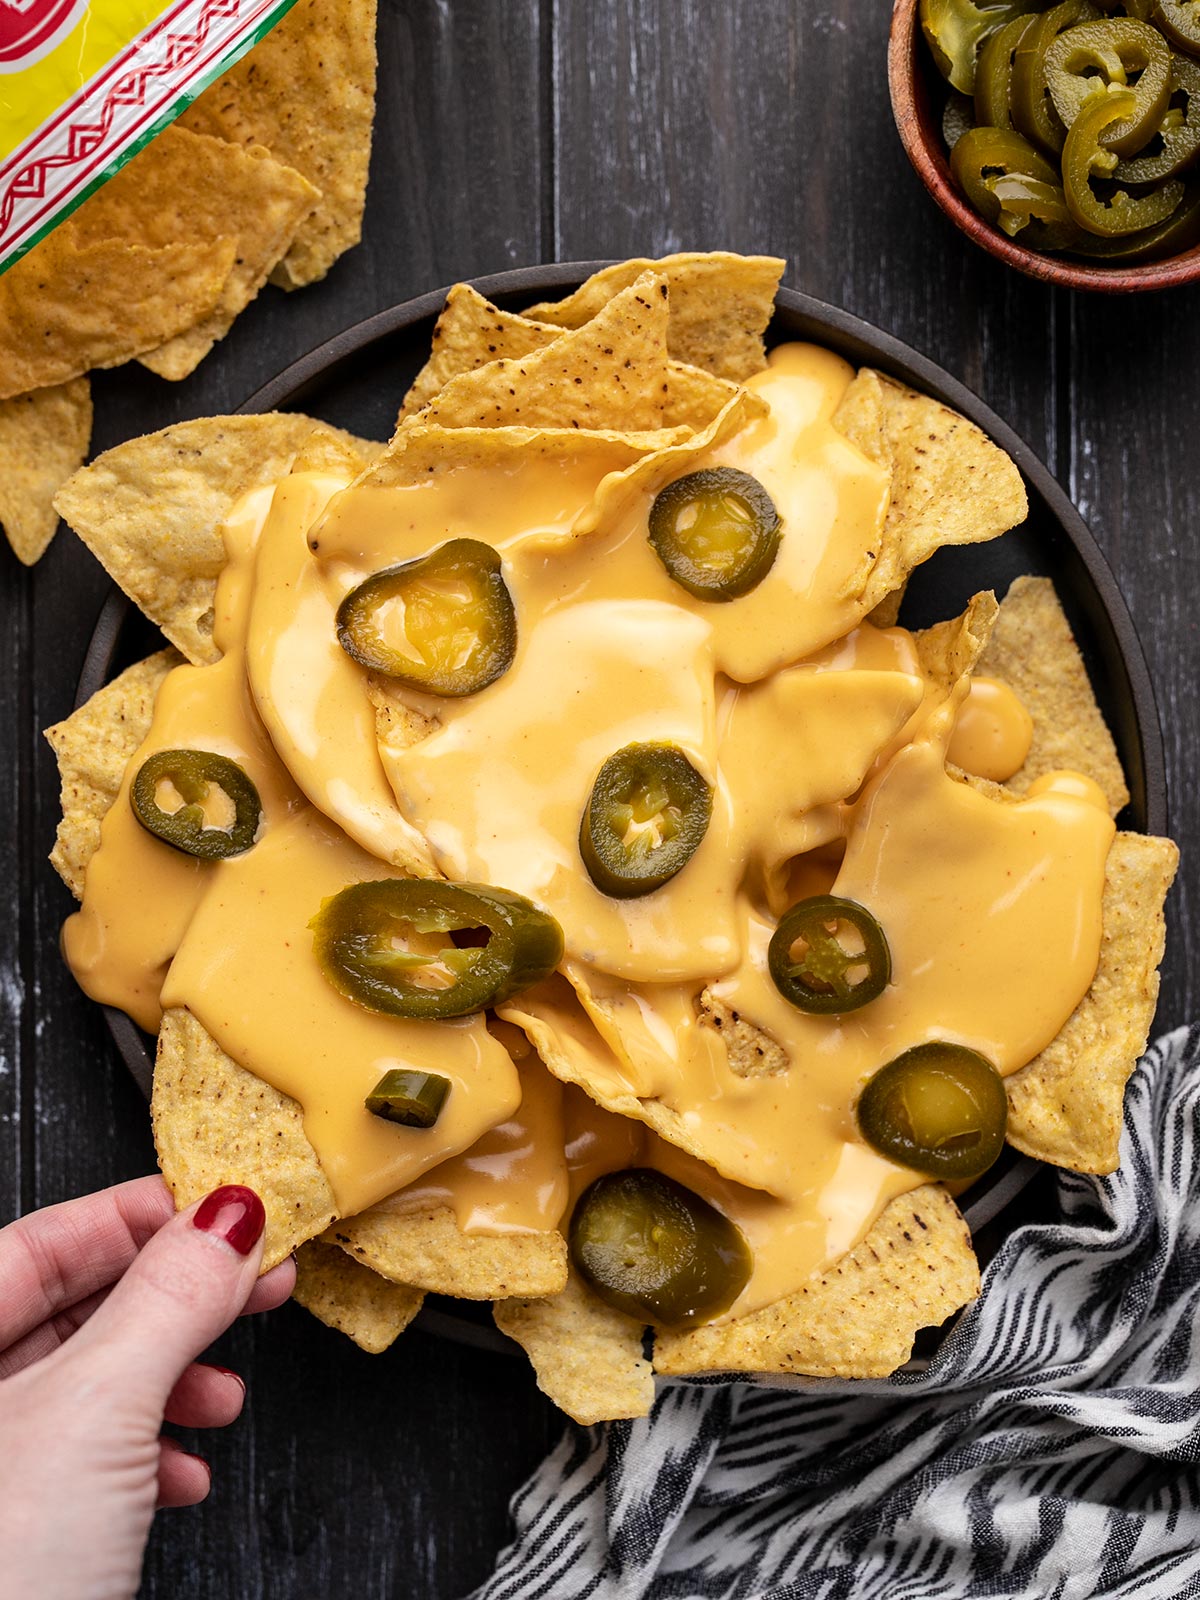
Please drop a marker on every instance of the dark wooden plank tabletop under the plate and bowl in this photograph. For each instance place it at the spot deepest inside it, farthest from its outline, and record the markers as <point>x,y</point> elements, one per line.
<point>514,132</point>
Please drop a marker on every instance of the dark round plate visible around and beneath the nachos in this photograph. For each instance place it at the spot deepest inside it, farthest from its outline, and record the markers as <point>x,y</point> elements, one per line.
<point>358,382</point>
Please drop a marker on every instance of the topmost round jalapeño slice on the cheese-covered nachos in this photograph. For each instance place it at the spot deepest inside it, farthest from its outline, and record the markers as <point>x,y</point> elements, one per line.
<point>716,532</point>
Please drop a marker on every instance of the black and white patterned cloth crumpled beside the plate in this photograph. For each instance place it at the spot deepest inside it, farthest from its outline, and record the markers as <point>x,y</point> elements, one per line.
<point>1050,1452</point>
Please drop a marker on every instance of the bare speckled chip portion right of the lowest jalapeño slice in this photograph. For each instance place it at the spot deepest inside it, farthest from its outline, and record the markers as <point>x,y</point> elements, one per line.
<point>913,1271</point>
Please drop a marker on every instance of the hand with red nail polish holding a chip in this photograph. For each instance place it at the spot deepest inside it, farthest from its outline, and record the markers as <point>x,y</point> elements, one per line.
<point>105,1305</point>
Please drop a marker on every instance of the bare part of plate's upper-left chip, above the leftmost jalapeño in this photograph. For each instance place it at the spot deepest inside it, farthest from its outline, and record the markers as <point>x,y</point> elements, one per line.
<point>151,511</point>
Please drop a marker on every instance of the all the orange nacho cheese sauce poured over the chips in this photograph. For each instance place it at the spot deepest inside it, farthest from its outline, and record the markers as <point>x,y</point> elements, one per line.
<point>826,743</point>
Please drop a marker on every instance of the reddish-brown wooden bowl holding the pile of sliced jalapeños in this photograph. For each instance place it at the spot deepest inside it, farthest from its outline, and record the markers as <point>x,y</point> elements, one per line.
<point>918,98</point>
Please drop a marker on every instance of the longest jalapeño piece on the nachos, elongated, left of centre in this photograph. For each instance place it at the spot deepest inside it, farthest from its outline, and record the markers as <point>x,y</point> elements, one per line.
<point>430,951</point>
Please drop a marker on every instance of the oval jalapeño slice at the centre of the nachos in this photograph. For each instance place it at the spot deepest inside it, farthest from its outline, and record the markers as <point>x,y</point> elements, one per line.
<point>646,820</point>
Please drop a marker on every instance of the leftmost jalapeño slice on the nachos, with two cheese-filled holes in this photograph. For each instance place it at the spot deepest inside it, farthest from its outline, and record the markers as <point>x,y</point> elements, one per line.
<point>198,802</point>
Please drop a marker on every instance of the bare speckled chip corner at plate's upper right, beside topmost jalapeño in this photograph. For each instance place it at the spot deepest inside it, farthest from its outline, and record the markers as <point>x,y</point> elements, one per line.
<point>950,482</point>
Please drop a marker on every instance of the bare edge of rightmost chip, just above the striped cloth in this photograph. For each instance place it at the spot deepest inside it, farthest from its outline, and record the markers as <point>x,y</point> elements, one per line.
<point>1068,1105</point>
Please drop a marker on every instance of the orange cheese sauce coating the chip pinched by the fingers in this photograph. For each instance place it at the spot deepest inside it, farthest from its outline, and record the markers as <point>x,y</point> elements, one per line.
<point>247,970</point>
